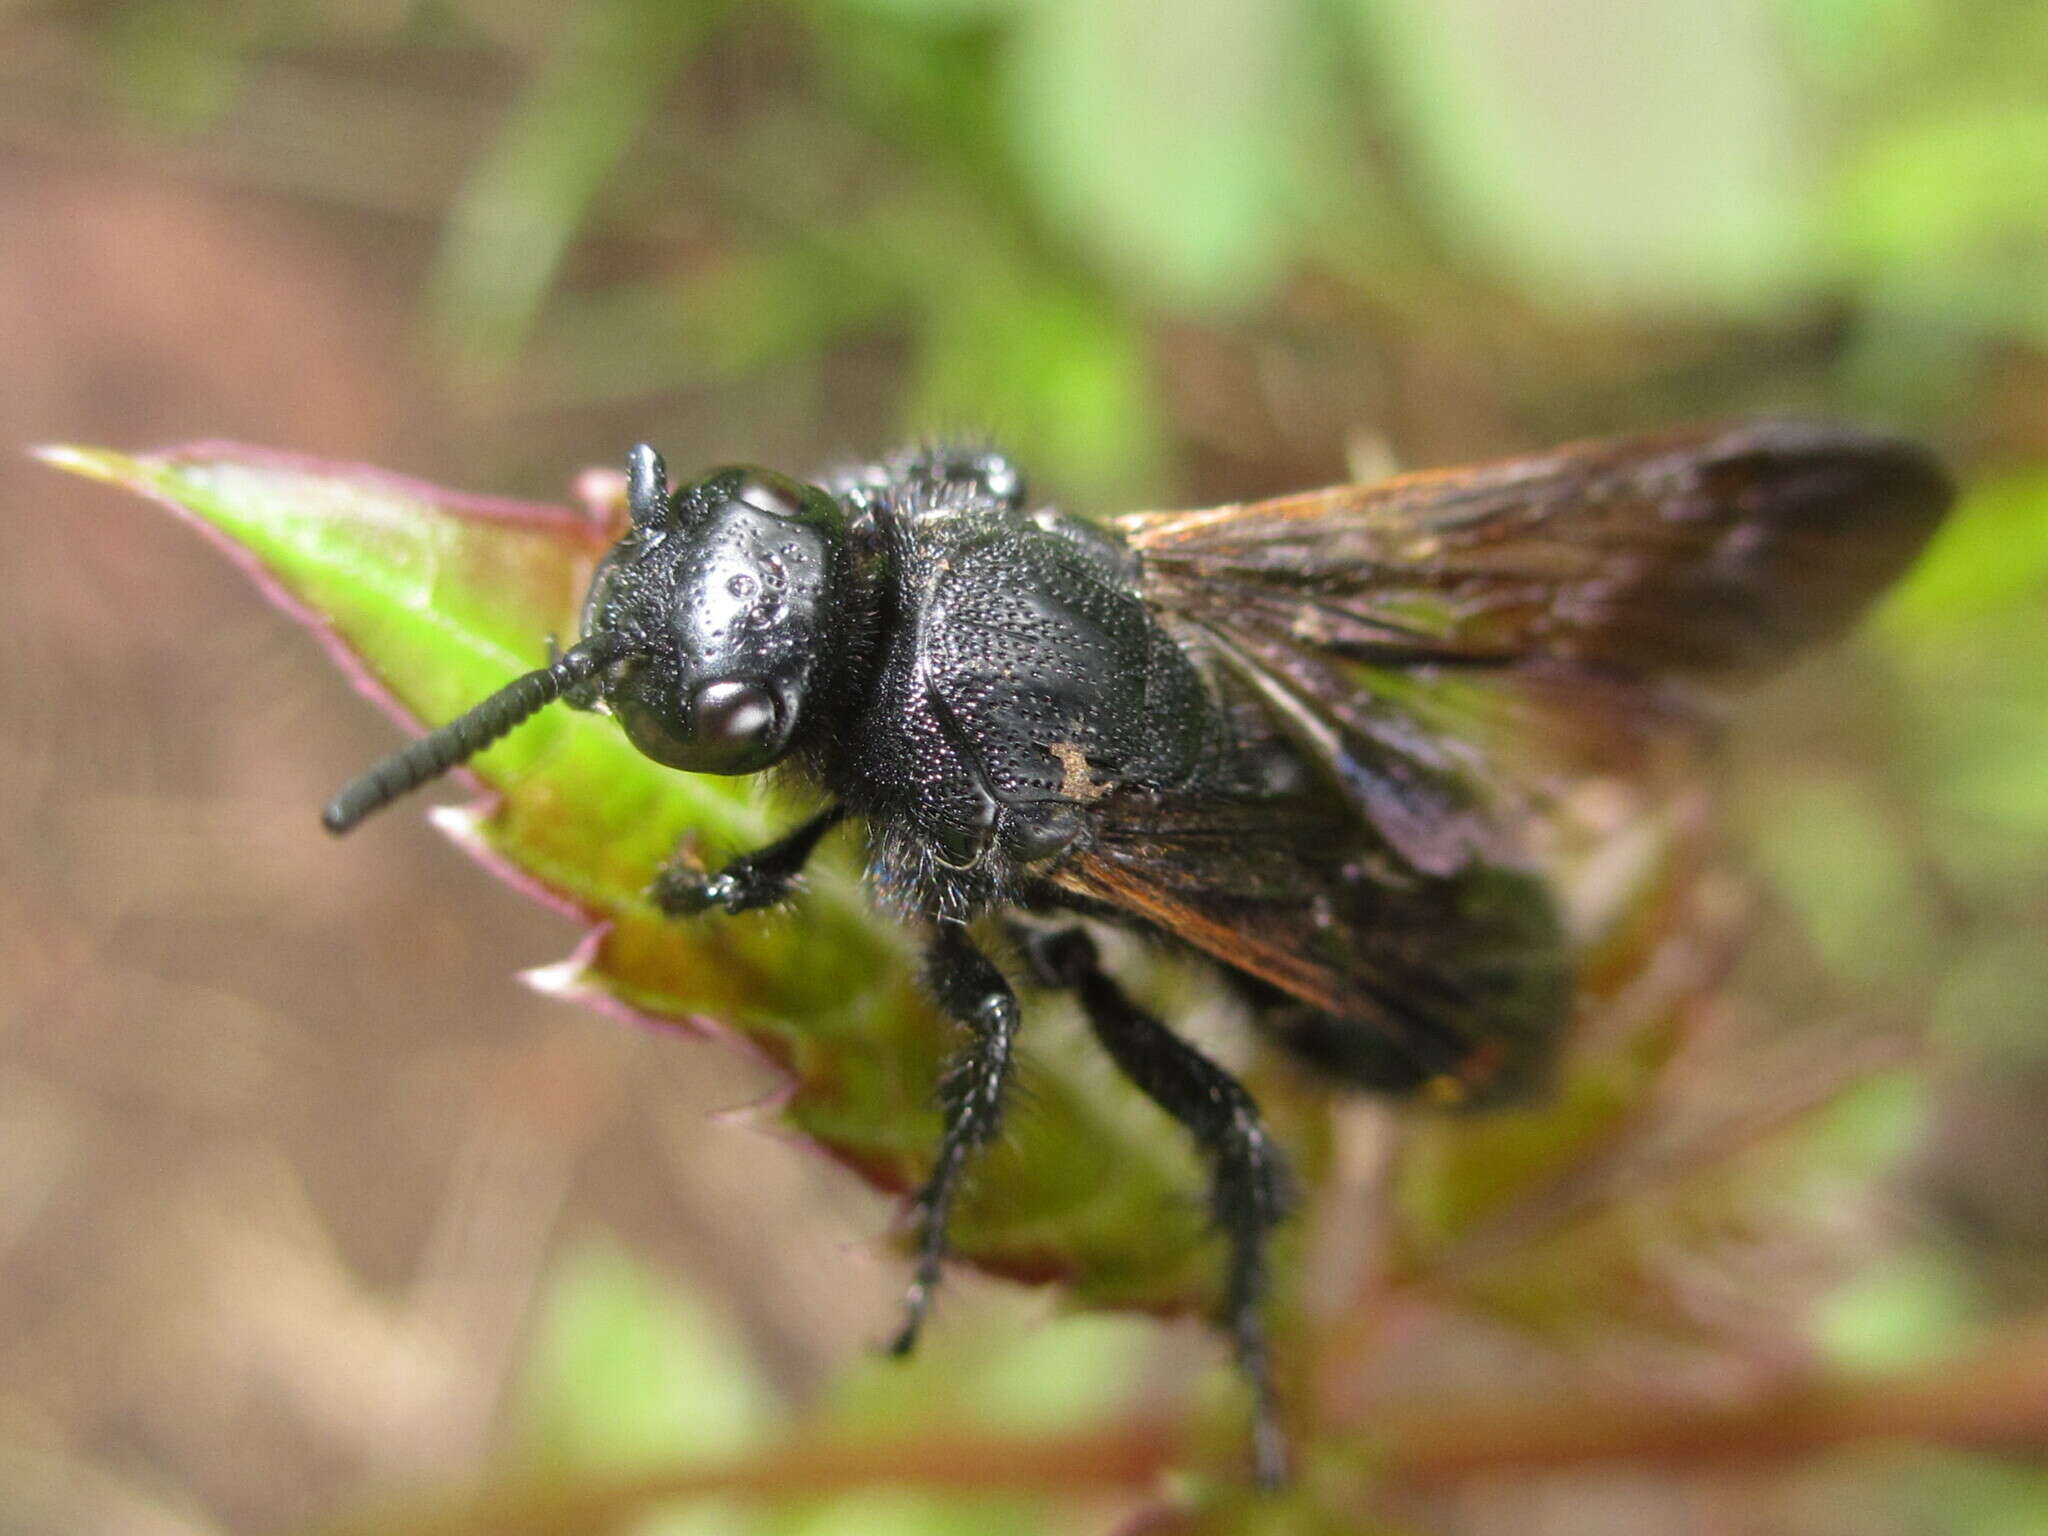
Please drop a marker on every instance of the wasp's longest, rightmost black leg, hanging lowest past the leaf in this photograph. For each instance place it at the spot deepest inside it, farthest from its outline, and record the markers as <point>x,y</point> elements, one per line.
<point>1250,1185</point>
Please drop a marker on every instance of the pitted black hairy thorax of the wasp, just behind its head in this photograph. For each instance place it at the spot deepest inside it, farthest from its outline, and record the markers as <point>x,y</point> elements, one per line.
<point>1021,681</point>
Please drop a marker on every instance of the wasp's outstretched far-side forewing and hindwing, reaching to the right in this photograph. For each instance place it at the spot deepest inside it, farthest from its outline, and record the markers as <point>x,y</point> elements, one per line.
<point>1453,648</point>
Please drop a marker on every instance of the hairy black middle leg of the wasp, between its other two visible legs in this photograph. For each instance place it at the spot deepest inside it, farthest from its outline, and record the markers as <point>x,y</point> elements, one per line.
<point>974,994</point>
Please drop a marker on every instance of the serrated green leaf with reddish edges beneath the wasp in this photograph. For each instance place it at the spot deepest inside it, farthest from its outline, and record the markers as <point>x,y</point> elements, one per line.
<point>433,599</point>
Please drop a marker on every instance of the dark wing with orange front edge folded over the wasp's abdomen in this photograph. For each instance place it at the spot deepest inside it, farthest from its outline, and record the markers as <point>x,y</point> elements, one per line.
<point>1449,986</point>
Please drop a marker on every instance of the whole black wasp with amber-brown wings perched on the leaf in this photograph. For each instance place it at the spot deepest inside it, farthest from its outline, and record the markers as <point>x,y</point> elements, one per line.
<point>1312,738</point>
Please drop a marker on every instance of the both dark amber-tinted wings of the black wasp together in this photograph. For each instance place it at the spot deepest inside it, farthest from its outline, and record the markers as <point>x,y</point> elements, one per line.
<point>1457,658</point>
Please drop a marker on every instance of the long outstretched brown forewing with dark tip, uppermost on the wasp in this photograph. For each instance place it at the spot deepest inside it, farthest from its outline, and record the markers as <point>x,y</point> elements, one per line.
<point>1693,554</point>
